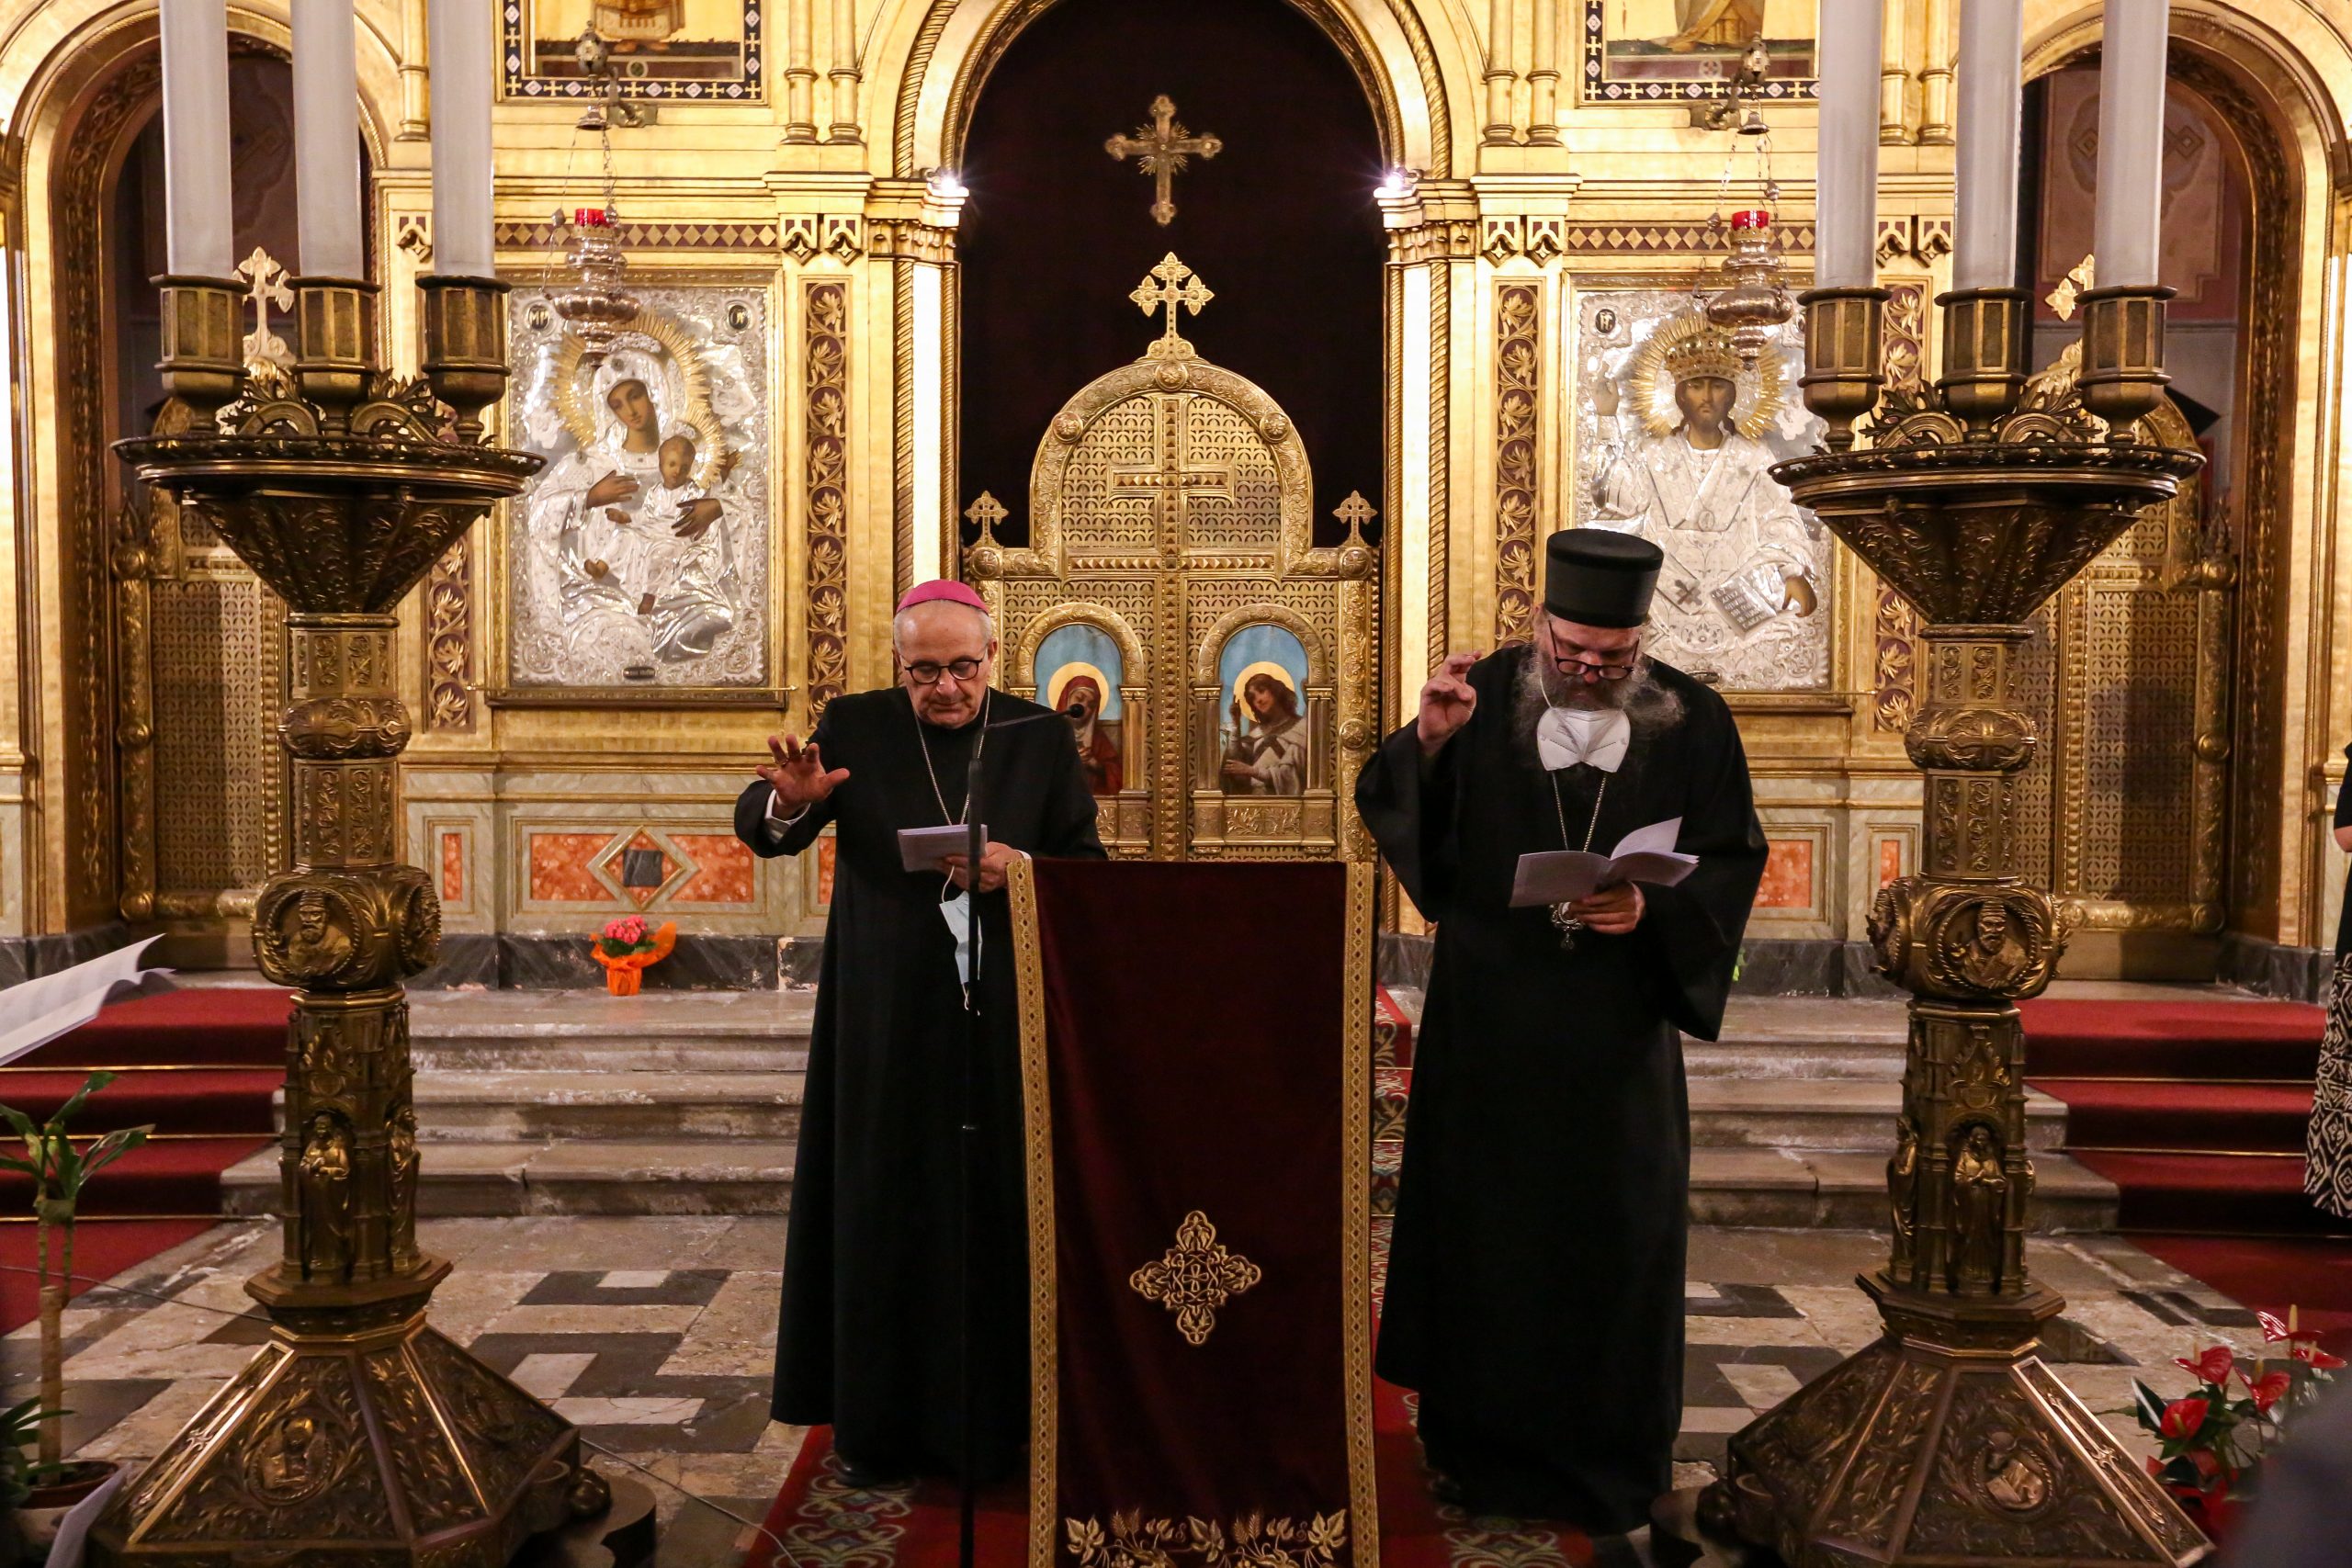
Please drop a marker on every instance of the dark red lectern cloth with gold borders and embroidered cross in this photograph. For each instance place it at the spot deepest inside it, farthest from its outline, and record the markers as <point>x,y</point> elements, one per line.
<point>1196,1059</point>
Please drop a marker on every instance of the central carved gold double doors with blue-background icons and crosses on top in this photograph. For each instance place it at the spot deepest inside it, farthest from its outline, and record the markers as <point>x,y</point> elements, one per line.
<point>1175,594</point>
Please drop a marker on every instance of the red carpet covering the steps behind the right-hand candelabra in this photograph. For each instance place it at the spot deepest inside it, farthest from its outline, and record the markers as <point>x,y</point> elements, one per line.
<point>2193,1108</point>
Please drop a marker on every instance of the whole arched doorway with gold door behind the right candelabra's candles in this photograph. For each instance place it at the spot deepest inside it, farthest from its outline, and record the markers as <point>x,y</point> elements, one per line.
<point>2125,808</point>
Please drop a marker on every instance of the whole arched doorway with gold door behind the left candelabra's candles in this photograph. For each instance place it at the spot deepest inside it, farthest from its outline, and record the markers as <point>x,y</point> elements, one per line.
<point>173,803</point>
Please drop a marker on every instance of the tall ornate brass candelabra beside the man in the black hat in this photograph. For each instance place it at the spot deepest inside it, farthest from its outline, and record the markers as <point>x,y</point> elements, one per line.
<point>1949,1440</point>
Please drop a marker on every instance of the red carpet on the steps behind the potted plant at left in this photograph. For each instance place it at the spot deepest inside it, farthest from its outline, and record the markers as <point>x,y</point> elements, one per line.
<point>201,1066</point>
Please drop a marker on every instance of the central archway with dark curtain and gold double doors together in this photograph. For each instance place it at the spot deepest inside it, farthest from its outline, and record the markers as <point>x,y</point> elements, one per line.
<point>1271,213</point>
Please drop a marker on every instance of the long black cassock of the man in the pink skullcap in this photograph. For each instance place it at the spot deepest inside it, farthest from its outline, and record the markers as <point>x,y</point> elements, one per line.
<point>869,1327</point>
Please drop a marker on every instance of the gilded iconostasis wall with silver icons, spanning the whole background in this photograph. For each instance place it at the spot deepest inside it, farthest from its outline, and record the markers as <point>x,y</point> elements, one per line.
<point>897,281</point>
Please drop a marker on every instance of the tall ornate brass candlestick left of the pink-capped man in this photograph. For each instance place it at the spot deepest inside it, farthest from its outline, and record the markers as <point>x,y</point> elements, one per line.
<point>359,1435</point>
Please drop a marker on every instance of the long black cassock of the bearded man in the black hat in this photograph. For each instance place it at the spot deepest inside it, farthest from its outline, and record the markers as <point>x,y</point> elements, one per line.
<point>1535,1289</point>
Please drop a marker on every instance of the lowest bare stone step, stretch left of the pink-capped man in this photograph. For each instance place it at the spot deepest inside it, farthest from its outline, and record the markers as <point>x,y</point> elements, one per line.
<point>582,1177</point>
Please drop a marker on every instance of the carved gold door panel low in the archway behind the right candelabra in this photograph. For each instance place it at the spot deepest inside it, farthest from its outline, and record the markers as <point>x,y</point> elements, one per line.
<point>2125,803</point>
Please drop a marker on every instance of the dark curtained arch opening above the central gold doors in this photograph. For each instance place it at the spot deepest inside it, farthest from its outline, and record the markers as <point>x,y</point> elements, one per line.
<point>1281,225</point>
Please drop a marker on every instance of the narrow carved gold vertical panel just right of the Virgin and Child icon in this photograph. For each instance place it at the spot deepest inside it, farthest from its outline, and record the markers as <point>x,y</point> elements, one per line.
<point>824,366</point>
